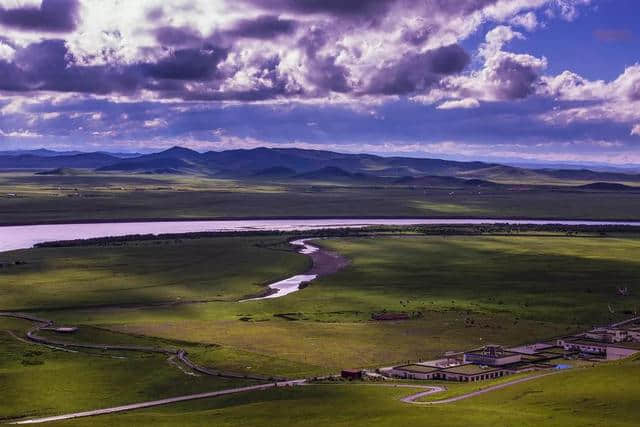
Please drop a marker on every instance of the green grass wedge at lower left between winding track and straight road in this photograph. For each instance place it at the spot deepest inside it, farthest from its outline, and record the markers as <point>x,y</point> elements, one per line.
<point>38,381</point>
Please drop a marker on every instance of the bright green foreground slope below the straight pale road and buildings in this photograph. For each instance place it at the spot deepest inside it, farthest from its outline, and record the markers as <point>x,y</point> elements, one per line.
<point>605,395</point>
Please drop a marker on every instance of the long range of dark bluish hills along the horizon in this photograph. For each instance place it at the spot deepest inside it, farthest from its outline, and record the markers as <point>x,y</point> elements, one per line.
<point>293,163</point>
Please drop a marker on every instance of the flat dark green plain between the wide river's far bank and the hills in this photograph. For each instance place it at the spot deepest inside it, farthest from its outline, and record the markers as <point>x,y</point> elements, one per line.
<point>42,198</point>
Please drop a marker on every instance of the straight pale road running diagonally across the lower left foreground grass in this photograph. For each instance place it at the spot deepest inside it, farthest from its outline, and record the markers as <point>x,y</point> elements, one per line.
<point>160,402</point>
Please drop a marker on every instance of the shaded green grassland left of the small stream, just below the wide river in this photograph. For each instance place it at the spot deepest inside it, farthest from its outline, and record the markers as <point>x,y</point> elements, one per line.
<point>144,273</point>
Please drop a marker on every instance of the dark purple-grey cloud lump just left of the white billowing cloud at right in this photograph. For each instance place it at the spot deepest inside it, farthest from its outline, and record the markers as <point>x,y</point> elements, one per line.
<point>420,71</point>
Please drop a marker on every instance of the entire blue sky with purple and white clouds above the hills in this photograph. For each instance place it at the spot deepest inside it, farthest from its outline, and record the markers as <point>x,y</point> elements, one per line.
<point>497,80</point>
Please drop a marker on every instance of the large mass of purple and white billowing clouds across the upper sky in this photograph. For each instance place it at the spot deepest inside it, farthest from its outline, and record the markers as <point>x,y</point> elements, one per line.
<point>358,51</point>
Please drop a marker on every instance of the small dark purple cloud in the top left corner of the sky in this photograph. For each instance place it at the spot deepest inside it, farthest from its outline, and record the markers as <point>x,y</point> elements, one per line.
<point>51,16</point>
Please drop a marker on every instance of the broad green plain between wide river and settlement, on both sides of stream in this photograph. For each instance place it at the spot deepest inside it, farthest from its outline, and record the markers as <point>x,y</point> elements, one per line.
<point>459,292</point>
